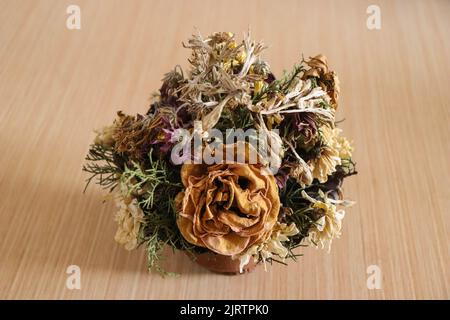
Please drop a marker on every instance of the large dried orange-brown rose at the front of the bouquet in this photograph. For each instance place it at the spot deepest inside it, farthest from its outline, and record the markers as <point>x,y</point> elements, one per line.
<point>227,207</point>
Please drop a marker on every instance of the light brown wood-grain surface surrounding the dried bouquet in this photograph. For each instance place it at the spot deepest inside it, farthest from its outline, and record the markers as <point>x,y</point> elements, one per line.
<point>56,85</point>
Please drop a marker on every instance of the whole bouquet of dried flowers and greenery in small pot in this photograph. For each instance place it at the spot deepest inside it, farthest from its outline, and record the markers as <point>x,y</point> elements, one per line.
<point>230,164</point>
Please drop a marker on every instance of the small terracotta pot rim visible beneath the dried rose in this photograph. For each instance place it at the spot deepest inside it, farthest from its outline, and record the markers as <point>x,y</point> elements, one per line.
<point>222,264</point>
